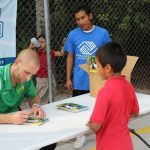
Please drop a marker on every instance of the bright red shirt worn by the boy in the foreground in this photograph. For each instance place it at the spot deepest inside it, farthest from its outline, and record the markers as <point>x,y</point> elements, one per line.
<point>115,102</point>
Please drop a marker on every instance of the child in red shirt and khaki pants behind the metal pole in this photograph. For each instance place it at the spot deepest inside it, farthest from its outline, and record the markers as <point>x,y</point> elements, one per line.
<point>42,74</point>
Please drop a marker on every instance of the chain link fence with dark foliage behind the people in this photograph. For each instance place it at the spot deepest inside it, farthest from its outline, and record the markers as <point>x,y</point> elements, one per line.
<point>128,22</point>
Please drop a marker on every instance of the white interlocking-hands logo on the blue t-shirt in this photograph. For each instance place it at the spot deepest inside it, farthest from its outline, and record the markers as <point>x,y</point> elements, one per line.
<point>87,48</point>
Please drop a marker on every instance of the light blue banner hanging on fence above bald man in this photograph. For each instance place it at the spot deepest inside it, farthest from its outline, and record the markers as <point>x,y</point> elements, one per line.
<point>8,13</point>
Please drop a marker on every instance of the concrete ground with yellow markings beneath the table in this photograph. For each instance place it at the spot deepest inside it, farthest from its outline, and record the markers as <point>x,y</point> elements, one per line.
<point>141,125</point>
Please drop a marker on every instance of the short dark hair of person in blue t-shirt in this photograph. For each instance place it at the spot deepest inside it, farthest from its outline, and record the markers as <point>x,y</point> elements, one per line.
<point>82,7</point>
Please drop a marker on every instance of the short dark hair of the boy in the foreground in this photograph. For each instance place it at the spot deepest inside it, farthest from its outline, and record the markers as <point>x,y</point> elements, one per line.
<point>113,54</point>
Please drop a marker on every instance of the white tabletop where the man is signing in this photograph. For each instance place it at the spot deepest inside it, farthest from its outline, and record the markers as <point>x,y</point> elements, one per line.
<point>63,125</point>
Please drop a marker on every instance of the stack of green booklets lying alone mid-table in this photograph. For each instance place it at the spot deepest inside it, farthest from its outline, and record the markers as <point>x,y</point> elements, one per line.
<point>73,107</point>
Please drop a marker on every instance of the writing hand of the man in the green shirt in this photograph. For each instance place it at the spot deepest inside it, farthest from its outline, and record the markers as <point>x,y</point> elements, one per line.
<point>20,117</point>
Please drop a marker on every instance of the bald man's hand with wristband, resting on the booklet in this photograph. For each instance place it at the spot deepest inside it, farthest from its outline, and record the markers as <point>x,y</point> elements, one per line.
<point>37,111</point>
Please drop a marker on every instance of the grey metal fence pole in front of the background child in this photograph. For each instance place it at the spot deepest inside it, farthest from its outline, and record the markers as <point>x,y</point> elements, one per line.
<point>48,47</point>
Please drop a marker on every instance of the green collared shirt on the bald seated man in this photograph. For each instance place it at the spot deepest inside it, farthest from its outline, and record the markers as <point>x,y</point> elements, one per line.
<point>11,97</point>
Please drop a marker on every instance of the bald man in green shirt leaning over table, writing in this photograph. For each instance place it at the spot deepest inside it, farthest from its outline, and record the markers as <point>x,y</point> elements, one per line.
<point>15,84</point>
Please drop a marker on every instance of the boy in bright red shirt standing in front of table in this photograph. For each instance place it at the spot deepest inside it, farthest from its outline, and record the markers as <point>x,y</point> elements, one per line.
<point>116,102</point>
